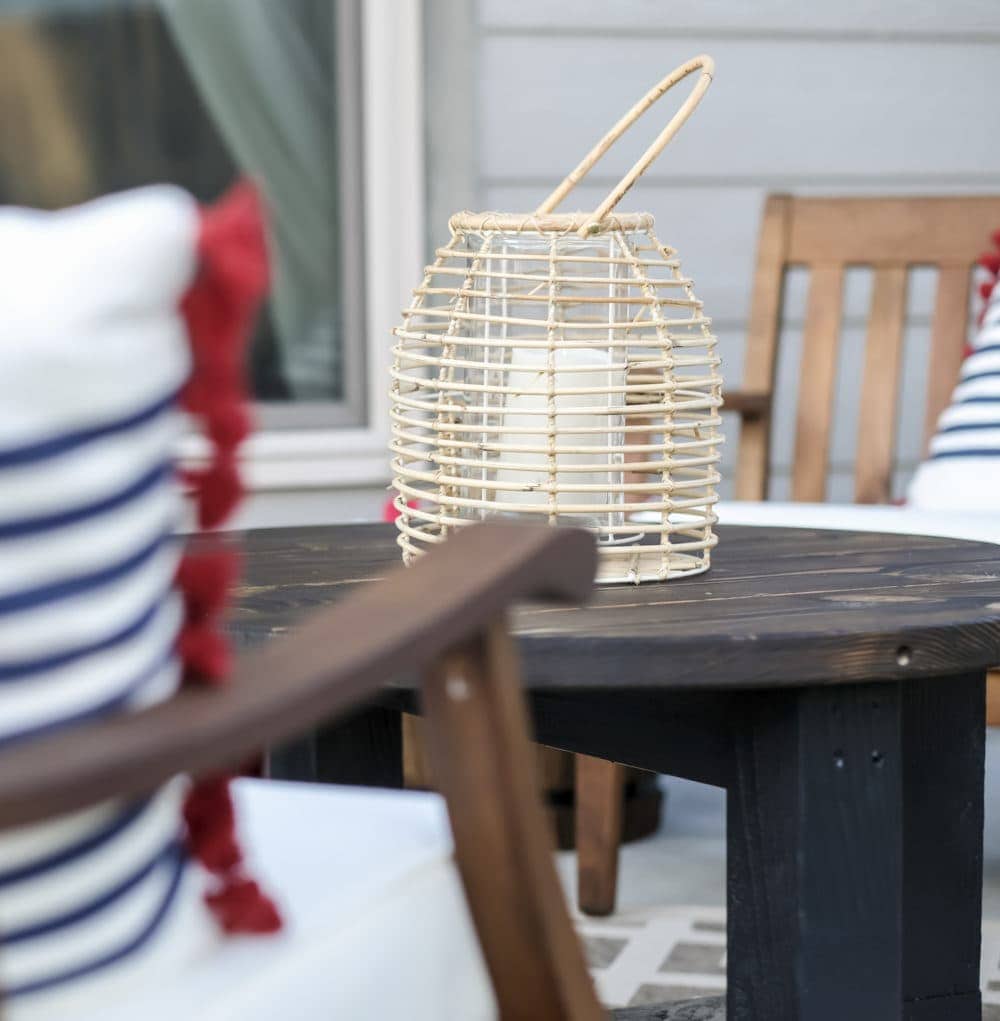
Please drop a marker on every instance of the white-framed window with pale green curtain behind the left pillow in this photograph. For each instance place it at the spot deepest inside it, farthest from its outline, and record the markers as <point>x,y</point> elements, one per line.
<point>101,95</point>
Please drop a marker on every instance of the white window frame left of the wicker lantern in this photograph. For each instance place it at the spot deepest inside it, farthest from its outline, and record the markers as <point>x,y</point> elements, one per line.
<point>327,446</point>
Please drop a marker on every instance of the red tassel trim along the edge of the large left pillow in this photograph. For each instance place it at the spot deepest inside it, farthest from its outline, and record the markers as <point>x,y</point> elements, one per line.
<point>219,310</point>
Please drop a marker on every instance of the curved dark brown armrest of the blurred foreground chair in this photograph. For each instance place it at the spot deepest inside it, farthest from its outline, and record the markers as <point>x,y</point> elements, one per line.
<point>339,659</point>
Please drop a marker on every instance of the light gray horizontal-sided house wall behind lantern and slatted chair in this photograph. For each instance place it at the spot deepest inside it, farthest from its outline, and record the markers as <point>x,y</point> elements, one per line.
<point>864,98</point>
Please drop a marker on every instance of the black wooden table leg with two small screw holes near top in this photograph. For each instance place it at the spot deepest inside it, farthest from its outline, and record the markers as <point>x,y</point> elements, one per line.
<point>815,836</point>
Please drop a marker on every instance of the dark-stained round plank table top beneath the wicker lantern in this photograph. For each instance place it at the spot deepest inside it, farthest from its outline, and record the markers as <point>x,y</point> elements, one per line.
<point>780,607</point>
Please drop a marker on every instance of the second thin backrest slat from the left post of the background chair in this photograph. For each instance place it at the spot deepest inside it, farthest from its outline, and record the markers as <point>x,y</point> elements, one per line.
<point>877,418</point>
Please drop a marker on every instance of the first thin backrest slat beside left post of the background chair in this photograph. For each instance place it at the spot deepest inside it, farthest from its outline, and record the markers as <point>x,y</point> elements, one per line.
<point>816,416</point>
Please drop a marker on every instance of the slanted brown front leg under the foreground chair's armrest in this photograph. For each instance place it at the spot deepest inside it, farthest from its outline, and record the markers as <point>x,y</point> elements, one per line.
<point>478,731</point>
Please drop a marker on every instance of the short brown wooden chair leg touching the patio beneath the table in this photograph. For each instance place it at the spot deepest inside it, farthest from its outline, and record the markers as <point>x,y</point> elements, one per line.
<point>600,792</point>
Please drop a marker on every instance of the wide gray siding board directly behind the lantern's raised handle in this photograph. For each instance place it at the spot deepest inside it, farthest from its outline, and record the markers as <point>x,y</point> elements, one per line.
<point>797,110</point>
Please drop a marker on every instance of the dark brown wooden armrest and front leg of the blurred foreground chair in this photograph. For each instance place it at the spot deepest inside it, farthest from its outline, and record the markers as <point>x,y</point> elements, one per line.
<point>439,618</point>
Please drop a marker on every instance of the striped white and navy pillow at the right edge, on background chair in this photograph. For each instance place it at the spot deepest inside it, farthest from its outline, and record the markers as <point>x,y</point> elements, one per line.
<point>963,471</point>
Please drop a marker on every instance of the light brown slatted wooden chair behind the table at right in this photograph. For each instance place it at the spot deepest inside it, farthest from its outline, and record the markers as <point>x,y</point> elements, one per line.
<point>827,236</point>
